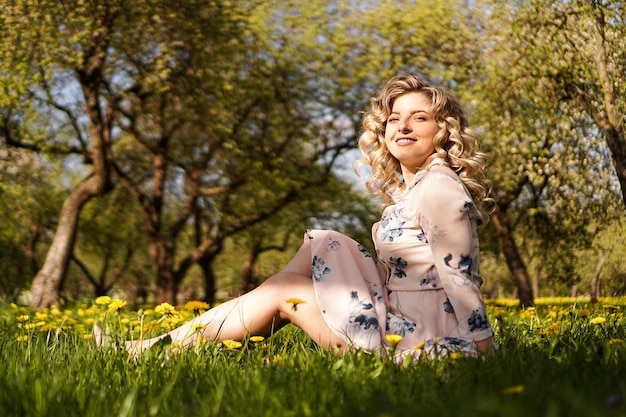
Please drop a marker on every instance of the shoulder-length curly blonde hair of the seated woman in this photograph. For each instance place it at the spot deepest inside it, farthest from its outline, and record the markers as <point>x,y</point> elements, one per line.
<point>455,142</point>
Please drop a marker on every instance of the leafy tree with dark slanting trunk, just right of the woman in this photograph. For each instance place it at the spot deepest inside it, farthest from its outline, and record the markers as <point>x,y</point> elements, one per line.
<point>547,166</point>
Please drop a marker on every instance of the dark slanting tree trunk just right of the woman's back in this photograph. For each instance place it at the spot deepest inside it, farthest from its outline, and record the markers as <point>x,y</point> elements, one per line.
<point>513,258</point>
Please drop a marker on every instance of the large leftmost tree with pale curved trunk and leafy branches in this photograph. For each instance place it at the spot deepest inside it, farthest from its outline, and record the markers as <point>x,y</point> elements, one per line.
<point>70,45</point>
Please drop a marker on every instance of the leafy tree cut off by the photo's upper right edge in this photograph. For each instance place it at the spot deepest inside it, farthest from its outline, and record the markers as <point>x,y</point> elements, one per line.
<point>585,41</point>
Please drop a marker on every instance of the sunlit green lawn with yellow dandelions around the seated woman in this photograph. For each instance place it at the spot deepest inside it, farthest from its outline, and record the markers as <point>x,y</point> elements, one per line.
<point>557,360</point>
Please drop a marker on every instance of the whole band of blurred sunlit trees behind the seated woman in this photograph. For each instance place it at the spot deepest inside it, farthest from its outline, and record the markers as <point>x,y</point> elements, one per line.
<point>167,151</point>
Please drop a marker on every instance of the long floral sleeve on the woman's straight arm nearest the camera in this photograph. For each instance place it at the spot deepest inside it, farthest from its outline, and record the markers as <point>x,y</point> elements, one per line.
<point>451,234</point>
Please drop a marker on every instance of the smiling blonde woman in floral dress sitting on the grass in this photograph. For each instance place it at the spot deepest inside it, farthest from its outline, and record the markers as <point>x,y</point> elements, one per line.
<point>426,287</point>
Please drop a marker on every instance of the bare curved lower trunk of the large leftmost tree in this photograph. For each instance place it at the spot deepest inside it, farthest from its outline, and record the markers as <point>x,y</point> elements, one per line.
<point>47,283</point>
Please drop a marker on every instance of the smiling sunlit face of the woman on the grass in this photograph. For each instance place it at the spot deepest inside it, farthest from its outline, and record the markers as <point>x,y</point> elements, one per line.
<point>410,131</point>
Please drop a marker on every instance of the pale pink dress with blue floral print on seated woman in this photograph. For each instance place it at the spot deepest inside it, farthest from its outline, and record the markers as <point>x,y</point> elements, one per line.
<point>424,284</point>
